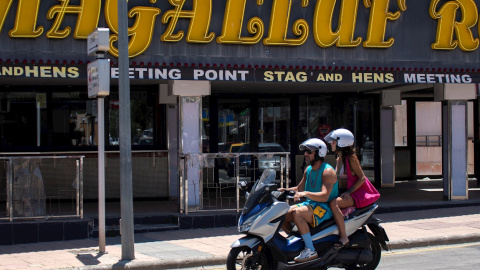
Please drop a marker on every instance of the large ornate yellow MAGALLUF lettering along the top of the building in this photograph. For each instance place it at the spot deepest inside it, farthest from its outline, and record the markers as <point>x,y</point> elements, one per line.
<point>329,23</point>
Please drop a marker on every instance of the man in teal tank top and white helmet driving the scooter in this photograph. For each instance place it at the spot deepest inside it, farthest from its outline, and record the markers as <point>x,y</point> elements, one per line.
<point>318,186</point>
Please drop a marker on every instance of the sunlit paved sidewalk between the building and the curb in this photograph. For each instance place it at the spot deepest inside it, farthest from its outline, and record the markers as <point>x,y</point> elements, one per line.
<point>203,247</point>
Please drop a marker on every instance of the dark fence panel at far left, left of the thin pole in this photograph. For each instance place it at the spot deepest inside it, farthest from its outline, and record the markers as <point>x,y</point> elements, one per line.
<point>41,187</point>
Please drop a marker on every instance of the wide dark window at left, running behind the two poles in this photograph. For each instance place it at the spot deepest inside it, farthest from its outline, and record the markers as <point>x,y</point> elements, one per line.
<point>63,118</point>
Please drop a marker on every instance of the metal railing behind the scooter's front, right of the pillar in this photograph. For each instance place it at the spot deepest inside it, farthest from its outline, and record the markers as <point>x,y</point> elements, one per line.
<point>217,177</point>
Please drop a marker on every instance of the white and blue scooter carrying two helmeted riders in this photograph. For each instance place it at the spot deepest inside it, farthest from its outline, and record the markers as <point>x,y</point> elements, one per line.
<point>266,247</point>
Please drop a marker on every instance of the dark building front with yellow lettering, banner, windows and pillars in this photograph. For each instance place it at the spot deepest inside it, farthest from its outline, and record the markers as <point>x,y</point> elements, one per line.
<point>208,74</point>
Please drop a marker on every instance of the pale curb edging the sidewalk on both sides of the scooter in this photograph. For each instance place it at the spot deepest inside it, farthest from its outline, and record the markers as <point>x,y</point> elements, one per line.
<point>221,260</point>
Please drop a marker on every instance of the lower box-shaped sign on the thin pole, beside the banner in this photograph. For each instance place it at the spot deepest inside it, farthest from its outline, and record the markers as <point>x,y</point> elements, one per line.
<point>98,73</point>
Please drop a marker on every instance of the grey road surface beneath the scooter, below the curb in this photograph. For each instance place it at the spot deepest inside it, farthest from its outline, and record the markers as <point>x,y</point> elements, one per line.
<point>462,256</point>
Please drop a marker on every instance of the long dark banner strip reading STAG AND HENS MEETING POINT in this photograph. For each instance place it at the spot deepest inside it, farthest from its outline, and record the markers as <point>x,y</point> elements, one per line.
<point>237,74</point>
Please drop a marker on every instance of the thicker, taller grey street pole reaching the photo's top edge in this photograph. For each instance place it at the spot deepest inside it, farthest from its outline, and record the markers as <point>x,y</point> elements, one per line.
<point>126,196</point>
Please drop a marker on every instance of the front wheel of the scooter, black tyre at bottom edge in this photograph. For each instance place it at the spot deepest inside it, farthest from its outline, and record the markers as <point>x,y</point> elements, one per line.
<point>243,258</point>
